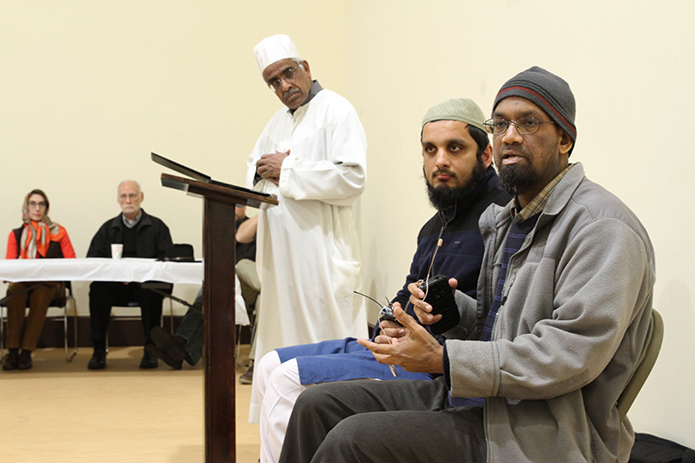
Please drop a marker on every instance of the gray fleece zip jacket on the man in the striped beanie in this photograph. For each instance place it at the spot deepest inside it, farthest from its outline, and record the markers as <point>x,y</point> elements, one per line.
<point>572,326</point>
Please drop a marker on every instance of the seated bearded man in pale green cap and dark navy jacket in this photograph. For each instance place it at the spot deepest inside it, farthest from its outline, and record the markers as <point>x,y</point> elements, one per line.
<point>461,184</point>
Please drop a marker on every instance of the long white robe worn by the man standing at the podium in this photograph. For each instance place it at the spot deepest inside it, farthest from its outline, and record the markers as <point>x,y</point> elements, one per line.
<point>307,247</point>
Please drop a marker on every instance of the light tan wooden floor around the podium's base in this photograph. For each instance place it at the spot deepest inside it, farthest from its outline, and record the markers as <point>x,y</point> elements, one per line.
<point>61,412</point>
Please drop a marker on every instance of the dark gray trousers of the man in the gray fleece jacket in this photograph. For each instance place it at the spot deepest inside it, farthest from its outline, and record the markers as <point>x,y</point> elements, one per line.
<point>382,421</point>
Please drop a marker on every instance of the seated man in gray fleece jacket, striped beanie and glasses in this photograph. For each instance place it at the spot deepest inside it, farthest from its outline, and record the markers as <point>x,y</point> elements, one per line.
<point>536,364</point>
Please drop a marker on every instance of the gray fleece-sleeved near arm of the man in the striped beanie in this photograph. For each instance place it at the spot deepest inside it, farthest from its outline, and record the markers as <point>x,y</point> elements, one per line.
<point>559,337</point>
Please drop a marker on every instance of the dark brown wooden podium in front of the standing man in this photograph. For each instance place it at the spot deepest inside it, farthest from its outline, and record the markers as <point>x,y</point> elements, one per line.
<point>219,245</point>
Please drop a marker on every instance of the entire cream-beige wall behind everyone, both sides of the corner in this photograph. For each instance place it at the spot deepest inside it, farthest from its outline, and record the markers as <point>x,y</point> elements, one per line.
<point>90,88</point>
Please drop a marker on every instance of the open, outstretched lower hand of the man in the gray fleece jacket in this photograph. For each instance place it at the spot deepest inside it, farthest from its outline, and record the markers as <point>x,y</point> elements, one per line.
<point>417,351</point>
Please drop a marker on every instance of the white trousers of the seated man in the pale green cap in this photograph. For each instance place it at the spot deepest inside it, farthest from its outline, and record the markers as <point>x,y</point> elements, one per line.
<point>278,387</point>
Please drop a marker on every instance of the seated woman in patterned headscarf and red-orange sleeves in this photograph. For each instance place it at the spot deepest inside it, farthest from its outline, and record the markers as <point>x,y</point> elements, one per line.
<point>37,238</point>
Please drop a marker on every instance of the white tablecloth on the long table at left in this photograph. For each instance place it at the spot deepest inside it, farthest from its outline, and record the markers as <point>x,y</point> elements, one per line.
<point>100,269</point>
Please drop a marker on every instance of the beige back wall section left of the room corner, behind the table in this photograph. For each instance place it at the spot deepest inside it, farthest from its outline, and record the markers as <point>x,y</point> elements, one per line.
<point>90,88</point>
